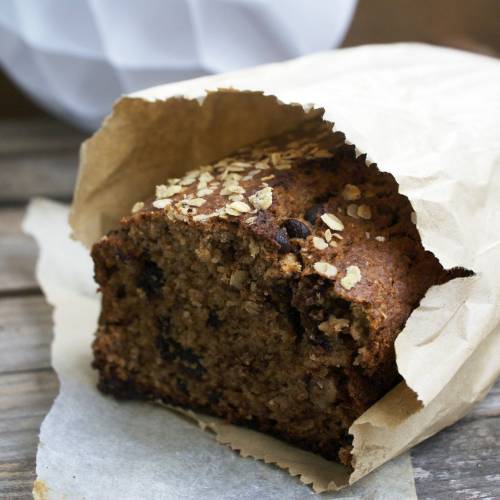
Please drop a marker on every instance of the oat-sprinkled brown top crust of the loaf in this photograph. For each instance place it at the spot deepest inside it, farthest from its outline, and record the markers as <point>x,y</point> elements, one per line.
<point>307,194</point>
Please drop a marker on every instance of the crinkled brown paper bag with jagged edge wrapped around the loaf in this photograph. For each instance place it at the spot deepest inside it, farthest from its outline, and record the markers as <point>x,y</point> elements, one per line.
<point>428,116</point>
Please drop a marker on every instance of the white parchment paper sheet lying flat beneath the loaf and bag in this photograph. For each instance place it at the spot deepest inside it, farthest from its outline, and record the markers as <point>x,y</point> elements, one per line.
<point>93,447</point>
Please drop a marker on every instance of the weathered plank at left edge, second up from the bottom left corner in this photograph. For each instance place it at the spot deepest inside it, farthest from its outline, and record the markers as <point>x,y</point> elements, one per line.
<point>25,334</point>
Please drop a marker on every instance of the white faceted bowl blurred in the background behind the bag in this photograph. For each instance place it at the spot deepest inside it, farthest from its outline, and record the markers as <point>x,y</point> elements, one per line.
<point>76,57</point>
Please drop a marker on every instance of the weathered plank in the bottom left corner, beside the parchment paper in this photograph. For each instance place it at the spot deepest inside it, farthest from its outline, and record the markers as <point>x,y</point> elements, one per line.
<point>25,398</point>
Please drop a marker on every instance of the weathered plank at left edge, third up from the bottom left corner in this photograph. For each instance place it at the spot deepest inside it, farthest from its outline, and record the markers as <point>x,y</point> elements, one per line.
<point>18,253</point>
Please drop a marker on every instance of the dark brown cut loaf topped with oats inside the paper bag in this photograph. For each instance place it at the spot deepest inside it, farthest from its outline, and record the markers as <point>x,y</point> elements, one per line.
<point>267,288</point>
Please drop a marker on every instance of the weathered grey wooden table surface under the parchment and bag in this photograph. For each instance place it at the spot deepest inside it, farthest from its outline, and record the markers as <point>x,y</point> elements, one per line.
<point>38,157</point>
